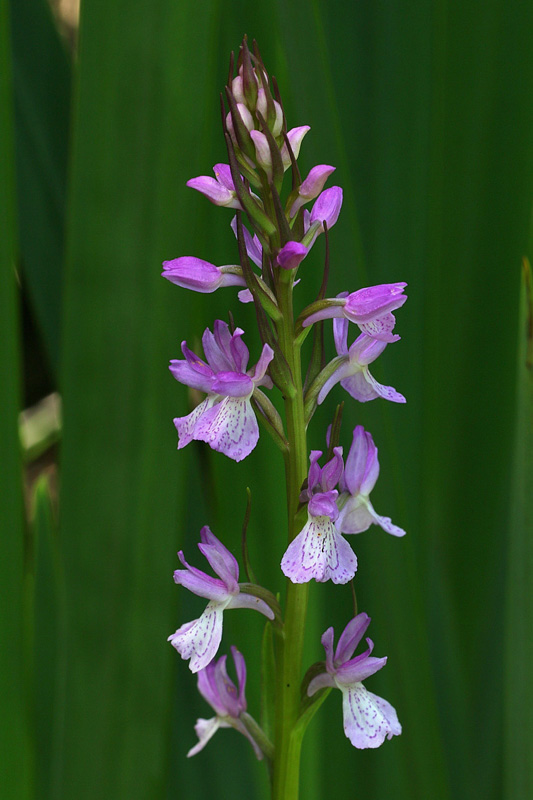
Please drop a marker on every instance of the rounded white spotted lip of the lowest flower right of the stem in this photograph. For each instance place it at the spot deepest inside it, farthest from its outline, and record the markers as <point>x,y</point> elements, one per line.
<point>367,718</point>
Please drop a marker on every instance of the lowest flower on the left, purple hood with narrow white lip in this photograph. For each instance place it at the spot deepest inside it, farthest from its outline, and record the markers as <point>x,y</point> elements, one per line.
<point>227,701</point>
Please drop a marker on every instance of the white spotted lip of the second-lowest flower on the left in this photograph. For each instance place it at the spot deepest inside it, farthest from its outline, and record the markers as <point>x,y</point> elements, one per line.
<point>199,640</point>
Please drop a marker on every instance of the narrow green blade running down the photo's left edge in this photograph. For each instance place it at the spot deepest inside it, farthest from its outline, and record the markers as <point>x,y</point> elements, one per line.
<point>15,737</point>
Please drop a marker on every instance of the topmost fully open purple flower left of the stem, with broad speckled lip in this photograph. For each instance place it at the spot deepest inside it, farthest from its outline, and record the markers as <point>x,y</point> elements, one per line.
<point>225,419</point>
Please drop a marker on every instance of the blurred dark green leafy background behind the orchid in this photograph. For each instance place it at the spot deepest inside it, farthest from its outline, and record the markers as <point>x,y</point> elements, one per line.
<point>426,110</point>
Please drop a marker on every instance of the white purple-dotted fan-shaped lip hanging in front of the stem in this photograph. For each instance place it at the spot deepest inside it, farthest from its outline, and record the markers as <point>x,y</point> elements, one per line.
<point>319,552</point>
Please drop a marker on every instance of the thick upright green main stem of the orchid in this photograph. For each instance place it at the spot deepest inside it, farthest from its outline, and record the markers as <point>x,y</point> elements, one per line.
<point>287,747</point>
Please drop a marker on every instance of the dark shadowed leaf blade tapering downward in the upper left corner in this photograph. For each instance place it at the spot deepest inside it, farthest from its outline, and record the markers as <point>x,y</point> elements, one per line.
<point>42,79</point>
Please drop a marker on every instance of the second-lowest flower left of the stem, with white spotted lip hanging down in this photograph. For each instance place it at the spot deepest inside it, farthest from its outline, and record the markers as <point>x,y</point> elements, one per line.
<point>199,640</point>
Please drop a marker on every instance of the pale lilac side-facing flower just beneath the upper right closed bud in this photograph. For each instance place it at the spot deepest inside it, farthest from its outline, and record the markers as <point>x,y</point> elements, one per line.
<point>353,372</point>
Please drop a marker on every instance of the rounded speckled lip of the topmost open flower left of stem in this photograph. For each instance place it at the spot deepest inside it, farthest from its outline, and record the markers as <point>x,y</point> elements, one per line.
<point>229,427</point>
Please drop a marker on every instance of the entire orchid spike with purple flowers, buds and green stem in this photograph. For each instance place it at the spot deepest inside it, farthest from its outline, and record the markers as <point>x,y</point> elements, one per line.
<point>335,496</point>
